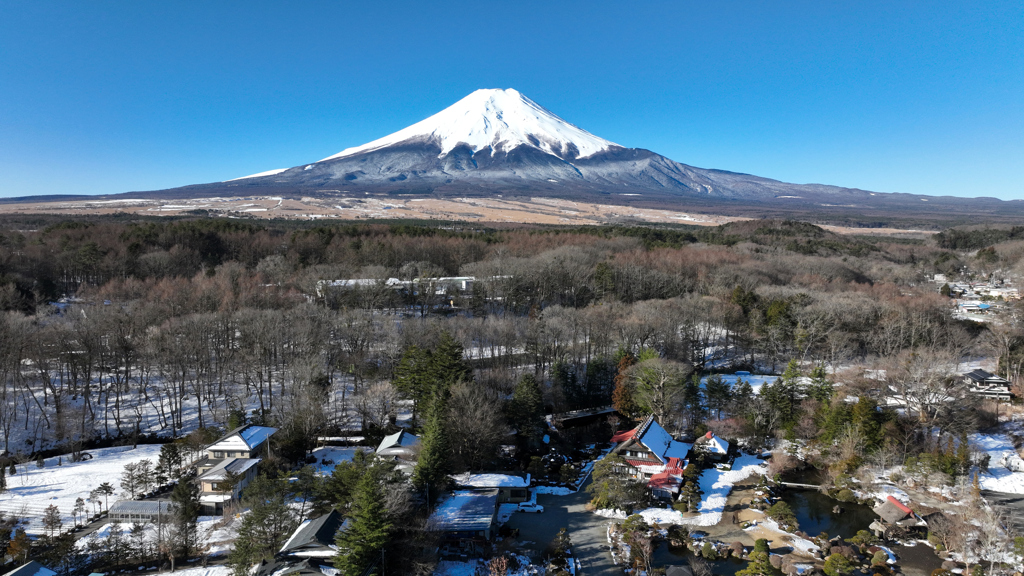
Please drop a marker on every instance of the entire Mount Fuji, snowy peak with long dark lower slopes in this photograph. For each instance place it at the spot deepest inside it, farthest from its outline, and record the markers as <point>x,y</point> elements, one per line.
<point>499,142</point>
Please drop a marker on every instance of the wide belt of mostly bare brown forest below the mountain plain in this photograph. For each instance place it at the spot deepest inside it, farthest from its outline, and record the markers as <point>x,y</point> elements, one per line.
<point>167,326</point>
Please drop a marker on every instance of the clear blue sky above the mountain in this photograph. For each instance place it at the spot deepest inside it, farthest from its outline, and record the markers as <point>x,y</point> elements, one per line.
<point>917,97</point>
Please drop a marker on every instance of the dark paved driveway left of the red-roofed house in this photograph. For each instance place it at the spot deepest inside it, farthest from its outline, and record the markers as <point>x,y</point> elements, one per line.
<point>588,531</point>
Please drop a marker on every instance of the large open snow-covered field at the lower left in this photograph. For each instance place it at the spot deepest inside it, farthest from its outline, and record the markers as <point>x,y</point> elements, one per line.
<point>33,489</point>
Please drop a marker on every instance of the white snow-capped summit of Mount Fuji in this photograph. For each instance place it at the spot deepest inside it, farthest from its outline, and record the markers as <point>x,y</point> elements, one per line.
<point>495,119</point>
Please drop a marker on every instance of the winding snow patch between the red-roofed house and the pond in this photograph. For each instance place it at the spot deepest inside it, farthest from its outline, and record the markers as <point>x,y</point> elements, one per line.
<point>716,485</point>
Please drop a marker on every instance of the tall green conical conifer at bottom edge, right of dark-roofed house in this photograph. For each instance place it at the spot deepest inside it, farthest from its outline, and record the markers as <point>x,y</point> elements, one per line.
<point>368,532</point>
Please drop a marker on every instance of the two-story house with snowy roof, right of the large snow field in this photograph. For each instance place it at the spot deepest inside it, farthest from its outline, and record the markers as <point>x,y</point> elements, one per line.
<point>230,466</point>
